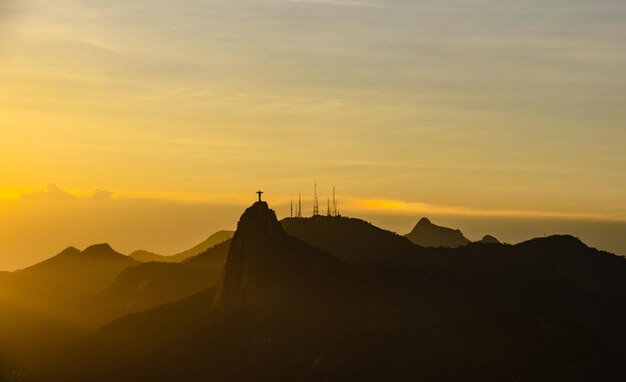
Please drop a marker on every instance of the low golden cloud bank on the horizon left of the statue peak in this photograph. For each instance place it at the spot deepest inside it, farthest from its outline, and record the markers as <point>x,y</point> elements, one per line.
<point>40,224</point>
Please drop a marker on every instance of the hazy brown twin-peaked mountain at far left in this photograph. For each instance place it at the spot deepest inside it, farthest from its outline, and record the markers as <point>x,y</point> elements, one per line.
<point>90,270</point>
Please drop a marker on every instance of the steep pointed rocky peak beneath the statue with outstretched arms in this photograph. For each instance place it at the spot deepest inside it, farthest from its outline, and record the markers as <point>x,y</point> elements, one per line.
<point>266,265</point>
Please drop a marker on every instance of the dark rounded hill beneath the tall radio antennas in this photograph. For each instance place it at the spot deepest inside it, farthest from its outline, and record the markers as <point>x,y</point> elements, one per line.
<point>351,240</point>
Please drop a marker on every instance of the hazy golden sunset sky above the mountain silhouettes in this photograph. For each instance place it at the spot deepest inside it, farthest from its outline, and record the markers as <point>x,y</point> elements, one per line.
<point>499,117</point>
